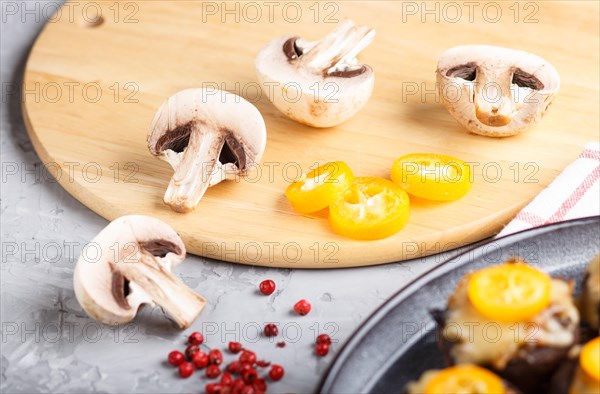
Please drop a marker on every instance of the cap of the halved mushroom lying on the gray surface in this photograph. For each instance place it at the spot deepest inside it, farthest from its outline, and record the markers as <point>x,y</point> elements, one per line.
<point>100,288</point>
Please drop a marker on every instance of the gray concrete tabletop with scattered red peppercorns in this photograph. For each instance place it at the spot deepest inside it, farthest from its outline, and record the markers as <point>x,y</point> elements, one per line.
<point>50,345</point>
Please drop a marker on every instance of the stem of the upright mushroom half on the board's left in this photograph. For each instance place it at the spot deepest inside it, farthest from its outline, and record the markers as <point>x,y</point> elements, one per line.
<point>192,176</point>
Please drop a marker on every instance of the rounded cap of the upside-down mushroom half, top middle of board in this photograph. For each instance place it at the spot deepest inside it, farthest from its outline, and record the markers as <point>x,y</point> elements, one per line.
<point>306,95</point>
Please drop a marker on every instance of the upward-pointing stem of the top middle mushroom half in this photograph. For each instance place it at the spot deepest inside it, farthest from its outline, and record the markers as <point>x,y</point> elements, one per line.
<point>339,48</point>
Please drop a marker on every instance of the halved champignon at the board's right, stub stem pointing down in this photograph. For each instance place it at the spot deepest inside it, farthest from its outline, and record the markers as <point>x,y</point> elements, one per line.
<point>495,91</point>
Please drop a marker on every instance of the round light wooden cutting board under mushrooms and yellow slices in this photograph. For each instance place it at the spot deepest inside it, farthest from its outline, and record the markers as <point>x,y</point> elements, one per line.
<point>92,87</point>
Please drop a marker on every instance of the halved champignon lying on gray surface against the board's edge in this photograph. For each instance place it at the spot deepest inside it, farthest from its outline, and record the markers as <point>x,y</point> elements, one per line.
<point>129,264</point>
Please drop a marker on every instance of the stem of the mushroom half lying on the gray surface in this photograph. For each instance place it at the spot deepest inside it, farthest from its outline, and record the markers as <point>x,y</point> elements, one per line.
<point>165,289</point>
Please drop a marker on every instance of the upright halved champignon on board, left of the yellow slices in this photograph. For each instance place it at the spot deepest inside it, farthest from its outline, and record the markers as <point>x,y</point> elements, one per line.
<point>207,136</point>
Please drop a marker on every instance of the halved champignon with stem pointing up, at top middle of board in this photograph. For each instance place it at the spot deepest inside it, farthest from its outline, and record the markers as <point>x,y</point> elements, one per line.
<point>318,83</point>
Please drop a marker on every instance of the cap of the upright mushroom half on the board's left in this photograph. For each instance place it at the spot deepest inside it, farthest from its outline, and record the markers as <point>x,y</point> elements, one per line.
<point>223,111</point>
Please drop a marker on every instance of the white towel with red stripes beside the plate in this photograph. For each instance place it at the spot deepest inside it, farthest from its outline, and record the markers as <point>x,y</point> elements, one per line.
<point>575,193</point>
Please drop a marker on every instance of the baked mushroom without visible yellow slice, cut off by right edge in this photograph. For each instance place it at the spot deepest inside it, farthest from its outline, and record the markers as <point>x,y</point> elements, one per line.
<point>590,296</point>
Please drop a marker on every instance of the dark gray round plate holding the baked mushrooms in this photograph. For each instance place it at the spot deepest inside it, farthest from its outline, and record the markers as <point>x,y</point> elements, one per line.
<point>397,343</point>
